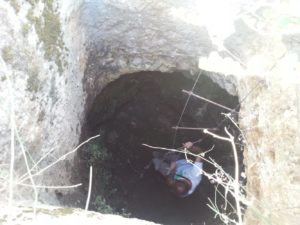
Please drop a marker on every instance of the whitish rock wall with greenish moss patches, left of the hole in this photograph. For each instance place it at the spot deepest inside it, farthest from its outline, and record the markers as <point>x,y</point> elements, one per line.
<point>41,78</point>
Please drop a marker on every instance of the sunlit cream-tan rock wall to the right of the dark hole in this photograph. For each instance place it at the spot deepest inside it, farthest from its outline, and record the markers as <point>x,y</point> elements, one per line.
<point>271,119</point>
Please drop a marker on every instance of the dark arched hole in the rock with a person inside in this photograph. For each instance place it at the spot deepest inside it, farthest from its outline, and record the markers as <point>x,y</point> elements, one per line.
<point>142,108</point>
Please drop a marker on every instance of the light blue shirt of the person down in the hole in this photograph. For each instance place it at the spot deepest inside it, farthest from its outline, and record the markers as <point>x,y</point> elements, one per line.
<point>192,171</point>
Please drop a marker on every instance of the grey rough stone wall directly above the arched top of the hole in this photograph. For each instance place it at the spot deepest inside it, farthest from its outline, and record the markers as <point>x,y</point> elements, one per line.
<point>138,36</point>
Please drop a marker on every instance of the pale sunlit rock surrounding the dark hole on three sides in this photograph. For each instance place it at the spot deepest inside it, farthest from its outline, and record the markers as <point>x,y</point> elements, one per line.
<point>57,56</point>
